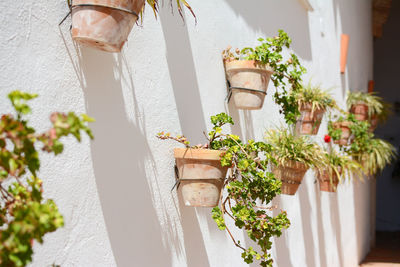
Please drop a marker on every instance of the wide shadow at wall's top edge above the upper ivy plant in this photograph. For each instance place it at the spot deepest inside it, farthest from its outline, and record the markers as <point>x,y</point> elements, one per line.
<point>292,17</point>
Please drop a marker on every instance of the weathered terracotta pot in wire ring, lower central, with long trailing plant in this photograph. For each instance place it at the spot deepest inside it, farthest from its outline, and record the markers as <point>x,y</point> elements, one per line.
<point>202,176</point>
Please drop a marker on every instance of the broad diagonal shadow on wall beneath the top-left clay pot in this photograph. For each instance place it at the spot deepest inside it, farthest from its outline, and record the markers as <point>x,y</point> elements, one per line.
<point>121,180</point>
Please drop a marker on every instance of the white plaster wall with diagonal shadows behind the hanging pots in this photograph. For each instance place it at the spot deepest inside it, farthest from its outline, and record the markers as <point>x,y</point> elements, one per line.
<point>115,191</point>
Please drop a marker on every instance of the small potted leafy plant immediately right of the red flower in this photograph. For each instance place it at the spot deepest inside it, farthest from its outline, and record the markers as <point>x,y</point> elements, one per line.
<point>339,129</point>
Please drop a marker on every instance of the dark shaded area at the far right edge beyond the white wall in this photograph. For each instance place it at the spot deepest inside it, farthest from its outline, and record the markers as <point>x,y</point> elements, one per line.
<point>386,58</point>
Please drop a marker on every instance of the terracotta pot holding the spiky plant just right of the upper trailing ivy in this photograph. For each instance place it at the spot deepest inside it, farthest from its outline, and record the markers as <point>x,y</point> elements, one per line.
<point>309,121</point>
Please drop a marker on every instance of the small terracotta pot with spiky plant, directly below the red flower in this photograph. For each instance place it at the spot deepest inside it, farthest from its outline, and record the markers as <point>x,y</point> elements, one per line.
<point>336,167</point>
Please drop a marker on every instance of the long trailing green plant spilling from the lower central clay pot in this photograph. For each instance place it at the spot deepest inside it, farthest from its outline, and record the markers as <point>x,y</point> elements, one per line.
<point>250,187</point>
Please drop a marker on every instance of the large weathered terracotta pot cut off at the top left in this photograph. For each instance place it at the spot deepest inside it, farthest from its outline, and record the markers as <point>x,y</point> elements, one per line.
<point>104,26</point>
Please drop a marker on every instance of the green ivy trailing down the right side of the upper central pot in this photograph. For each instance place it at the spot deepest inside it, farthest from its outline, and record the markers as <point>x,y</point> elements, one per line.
<point>287,72</point>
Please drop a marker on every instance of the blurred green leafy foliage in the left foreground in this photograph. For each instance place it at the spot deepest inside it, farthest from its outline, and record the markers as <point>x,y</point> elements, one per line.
<point>24,215</point>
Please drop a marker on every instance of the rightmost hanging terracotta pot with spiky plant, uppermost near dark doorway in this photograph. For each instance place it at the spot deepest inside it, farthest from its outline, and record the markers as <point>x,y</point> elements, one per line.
<point>368,106</point>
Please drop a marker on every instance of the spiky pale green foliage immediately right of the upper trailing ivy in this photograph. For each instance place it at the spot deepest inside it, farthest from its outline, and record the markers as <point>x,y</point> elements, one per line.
<point>314,95</point>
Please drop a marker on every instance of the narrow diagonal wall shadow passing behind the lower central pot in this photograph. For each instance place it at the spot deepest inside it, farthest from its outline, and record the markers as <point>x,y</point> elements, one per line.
<point>188,103</point>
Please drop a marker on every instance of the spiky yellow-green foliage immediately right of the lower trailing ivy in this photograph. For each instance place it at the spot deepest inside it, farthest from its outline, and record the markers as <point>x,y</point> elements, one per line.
<point>286,146</point>
